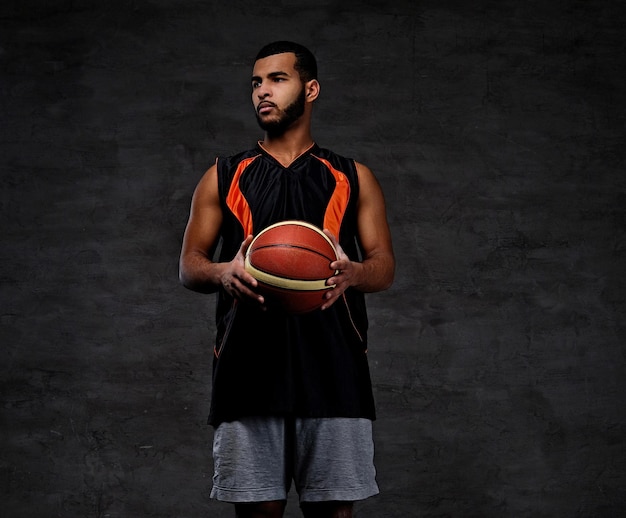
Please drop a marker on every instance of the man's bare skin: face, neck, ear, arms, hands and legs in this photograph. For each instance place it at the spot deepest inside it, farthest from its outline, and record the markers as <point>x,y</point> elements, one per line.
<point>275,85</point>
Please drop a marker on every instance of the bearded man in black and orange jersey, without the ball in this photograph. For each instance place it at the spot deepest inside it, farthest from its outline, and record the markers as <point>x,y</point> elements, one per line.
<point>292,397</point>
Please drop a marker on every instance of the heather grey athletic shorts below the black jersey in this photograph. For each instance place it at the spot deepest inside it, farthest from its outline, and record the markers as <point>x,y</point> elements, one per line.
<point>255,459</point>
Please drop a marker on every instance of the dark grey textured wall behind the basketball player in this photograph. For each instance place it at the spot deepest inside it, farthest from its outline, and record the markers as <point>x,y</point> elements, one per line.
<point>497,132</point>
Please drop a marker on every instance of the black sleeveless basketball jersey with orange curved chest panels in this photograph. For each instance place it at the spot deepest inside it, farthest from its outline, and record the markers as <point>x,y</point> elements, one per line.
<point>270,363</point>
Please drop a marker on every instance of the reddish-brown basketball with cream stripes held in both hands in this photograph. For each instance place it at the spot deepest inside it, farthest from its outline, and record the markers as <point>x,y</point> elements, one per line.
<point>291,262</point>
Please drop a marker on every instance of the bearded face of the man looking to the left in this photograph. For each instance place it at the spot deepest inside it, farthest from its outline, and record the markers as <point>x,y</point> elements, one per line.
<point>278,94</point>
